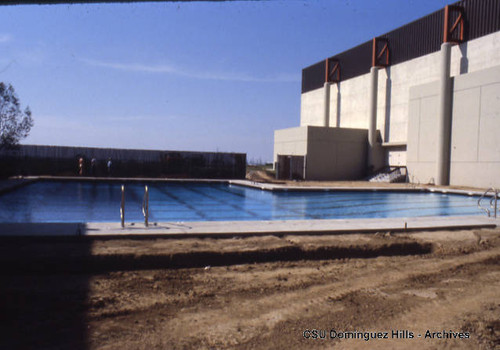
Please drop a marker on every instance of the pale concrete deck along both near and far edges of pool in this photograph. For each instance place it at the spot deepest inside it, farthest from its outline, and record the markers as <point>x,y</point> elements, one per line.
<point>246,228</point>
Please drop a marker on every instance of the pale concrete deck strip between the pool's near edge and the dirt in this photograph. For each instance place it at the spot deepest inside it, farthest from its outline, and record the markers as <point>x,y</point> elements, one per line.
<point>246,228</point>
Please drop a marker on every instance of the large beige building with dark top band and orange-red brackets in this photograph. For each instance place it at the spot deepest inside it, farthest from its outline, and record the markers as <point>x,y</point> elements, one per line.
<point>425,96</point>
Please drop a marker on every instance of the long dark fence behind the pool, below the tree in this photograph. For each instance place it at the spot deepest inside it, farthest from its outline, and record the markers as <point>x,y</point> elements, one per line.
<point>59,160</point>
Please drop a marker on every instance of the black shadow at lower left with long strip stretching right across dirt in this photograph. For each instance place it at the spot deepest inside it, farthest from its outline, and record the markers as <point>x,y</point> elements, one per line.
<point>45,281</point>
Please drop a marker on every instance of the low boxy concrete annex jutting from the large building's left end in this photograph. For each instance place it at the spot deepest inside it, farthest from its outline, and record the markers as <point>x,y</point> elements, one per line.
<point>331,153</point>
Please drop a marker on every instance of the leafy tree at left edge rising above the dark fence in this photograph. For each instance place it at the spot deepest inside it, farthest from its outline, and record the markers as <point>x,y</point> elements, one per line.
<point>15,124</point>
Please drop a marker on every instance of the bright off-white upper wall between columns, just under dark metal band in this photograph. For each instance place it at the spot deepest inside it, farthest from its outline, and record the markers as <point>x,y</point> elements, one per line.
<point>394,91</point>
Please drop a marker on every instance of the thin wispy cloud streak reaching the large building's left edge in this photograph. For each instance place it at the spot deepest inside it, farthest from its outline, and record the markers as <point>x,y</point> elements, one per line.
<point>168,69</point>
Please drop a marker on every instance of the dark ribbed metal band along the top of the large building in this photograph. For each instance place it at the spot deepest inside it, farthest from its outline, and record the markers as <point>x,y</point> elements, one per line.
<point>415,39</point>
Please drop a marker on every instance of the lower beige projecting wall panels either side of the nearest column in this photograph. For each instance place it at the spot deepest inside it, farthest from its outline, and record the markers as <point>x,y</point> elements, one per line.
<point>475,140</point>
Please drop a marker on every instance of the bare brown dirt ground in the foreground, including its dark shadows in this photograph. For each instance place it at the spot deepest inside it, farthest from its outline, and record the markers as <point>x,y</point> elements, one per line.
<point>422,290</point>
